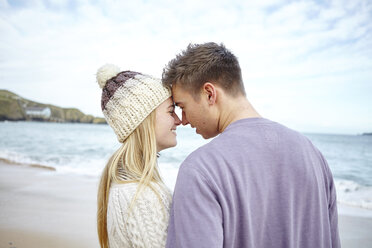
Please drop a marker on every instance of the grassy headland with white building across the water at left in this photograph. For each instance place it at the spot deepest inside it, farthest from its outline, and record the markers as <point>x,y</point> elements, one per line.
<point>16,108</point>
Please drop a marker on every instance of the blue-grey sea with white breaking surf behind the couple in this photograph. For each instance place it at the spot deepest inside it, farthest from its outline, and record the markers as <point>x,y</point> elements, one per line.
<point>85,149</point>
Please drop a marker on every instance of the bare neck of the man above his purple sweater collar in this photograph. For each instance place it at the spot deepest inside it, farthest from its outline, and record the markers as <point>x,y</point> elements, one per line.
<point>235,109</point>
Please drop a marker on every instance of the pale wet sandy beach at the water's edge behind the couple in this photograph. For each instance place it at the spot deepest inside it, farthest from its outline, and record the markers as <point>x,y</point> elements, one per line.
<point>40,208</point>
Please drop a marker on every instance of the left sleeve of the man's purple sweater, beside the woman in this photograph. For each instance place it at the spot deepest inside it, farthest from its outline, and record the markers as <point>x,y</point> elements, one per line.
<point>196,215</point>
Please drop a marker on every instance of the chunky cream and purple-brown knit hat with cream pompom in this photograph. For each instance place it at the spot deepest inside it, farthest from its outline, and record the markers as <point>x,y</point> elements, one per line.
<point>128,98</point>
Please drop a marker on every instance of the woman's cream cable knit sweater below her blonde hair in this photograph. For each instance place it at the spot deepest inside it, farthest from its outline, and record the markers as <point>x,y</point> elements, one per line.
<point>146,225</point>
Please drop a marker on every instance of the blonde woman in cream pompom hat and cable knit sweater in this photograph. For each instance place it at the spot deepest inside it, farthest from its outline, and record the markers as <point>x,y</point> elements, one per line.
<point>133,202</point>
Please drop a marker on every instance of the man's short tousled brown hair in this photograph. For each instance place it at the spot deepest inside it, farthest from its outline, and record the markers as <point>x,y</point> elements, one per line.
<point>201,63</point>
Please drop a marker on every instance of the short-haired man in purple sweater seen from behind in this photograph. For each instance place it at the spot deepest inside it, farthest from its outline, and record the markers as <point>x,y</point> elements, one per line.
<point>258,184</point>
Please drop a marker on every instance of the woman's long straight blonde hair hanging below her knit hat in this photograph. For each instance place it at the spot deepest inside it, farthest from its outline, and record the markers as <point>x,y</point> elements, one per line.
<point>134,161</point>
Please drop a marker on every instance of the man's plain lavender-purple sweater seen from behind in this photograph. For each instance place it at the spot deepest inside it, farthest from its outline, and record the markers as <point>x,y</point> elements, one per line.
<point>258,184</point>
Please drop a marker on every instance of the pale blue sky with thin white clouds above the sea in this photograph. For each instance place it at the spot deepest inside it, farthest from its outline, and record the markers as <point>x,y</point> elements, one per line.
<point>305,64</point>
